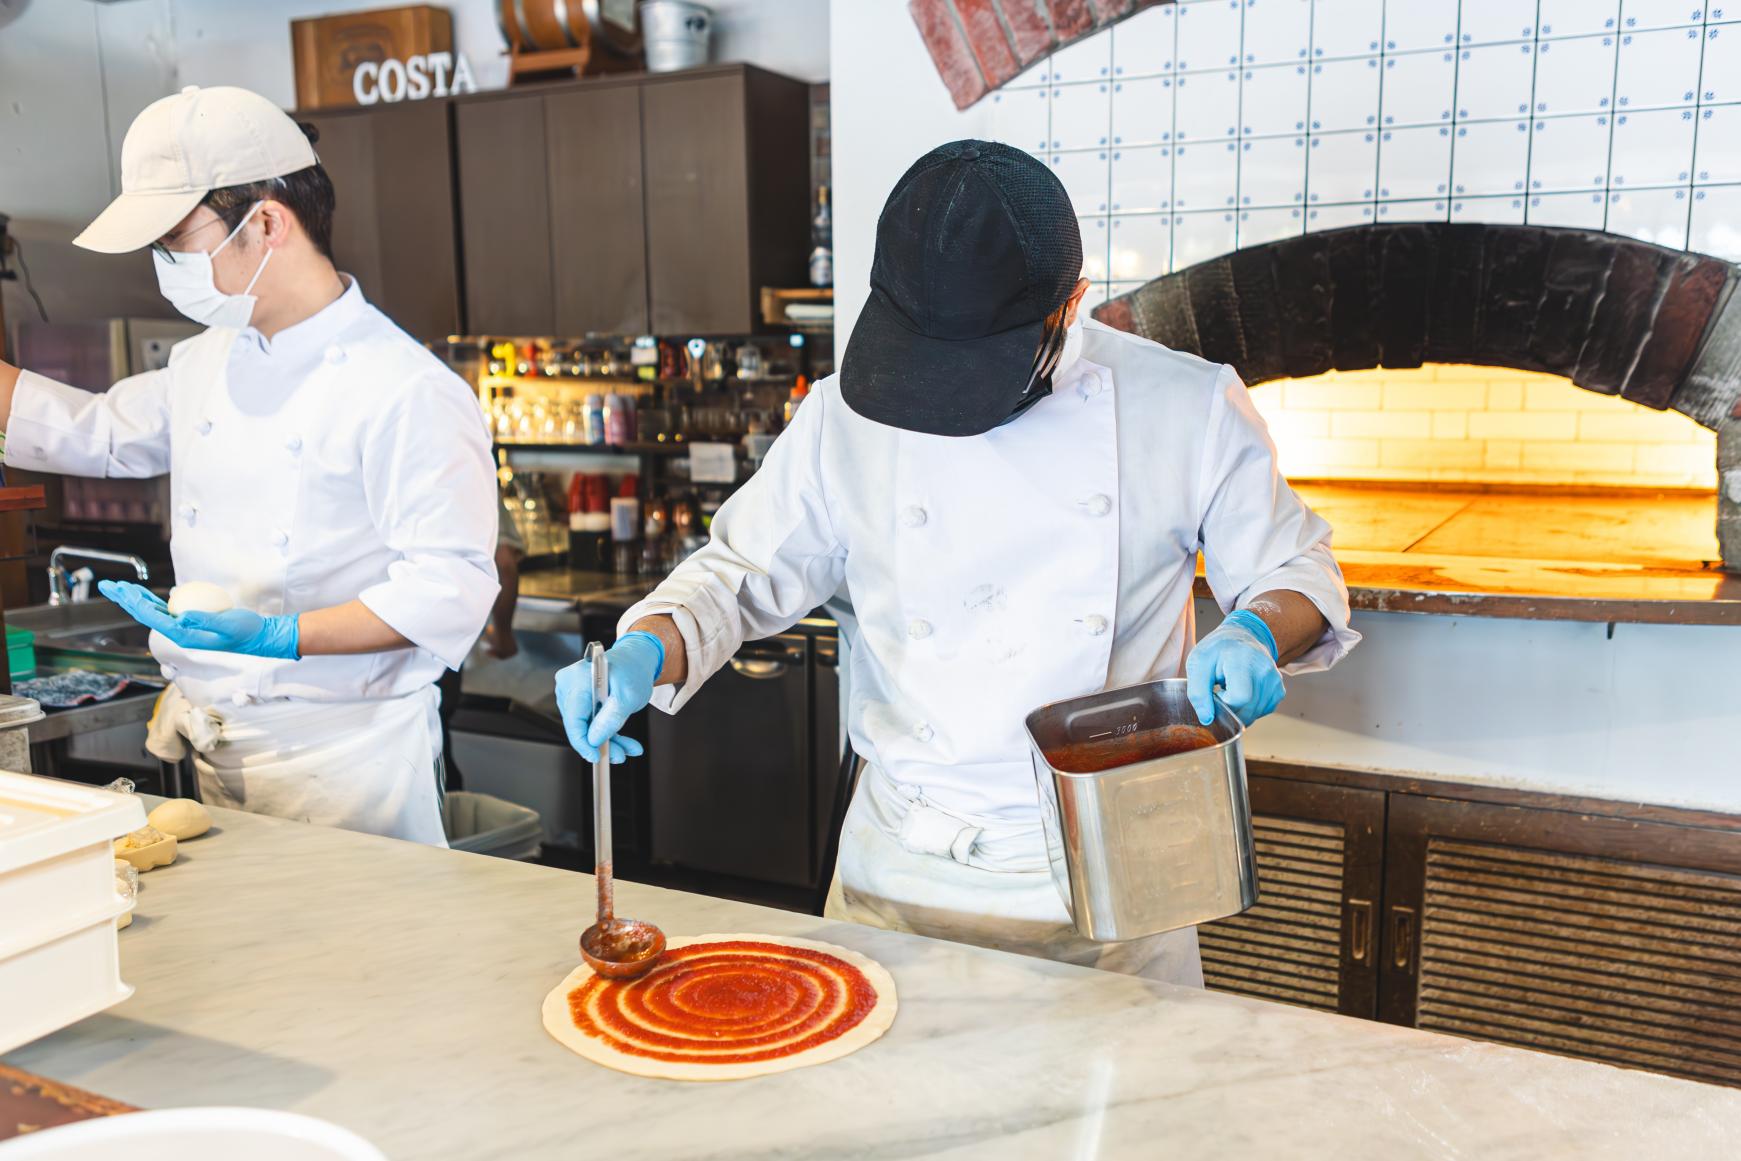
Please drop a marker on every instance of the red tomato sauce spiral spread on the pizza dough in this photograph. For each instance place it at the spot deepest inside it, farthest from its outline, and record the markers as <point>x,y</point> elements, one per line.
<point>736,1002</point>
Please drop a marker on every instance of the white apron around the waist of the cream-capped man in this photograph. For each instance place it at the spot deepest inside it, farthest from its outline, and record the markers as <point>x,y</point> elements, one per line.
<point>356,765</point>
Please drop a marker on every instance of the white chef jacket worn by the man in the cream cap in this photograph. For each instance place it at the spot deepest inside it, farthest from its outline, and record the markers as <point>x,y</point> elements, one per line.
<point>337,460</point>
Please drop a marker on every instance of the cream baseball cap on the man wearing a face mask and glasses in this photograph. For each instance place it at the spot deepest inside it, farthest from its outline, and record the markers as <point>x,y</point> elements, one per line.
<point>182,149</point>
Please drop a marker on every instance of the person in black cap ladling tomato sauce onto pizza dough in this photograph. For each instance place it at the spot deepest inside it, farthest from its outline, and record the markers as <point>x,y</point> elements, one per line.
<point>1014,500</point>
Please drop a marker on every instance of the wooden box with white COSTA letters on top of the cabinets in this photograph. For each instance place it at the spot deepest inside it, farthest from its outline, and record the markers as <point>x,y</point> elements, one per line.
<point>387,55</point>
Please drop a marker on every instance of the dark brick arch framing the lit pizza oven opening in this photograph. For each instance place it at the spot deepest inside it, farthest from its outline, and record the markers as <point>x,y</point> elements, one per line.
<point>1611,314</point>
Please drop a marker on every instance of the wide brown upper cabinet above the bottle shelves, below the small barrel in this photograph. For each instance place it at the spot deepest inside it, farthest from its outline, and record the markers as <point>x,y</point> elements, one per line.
<point>633,205</point>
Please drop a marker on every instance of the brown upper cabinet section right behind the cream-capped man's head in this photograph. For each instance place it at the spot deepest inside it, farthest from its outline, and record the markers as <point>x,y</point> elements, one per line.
<point>394,227</point>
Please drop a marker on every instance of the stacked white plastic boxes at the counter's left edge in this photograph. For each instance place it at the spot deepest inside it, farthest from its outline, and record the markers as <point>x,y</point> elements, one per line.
<point>58,904</point>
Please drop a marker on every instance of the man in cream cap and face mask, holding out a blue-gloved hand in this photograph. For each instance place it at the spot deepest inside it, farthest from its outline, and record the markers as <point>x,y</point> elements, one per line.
<point>326,473</point>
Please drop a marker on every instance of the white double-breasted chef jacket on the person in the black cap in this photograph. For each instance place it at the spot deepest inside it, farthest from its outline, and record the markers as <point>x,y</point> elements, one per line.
<point>965,622</point>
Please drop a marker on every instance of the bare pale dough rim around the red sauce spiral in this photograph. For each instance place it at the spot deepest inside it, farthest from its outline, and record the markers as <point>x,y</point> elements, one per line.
<point>561,1024</point>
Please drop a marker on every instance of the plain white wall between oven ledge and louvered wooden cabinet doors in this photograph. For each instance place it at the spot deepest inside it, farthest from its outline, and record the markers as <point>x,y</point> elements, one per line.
<point>1644,715</point>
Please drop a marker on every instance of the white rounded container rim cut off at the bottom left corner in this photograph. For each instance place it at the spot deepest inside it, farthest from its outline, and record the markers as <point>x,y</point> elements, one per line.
<point>196,1136</point>
